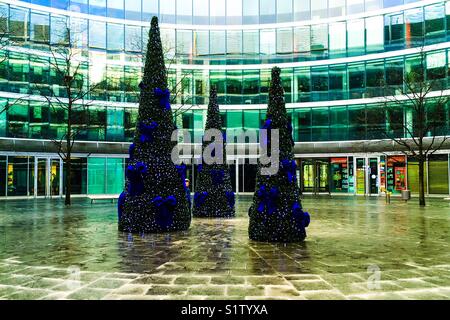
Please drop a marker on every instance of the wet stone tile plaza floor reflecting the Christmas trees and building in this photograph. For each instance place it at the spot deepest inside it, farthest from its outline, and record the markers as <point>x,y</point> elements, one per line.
<point>357,248</point>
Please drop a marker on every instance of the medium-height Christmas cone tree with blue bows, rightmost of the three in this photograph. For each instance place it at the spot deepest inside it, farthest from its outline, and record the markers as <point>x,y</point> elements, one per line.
<point>276,214</point>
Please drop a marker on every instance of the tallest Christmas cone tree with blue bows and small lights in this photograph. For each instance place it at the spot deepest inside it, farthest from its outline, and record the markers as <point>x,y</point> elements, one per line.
<point>154,199</point>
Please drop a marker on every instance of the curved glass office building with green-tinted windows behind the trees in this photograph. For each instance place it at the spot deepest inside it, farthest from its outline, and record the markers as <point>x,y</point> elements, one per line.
<point>337,57</point>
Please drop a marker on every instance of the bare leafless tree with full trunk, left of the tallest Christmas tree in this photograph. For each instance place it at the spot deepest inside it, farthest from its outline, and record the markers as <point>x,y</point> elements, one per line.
<point>71,94</point>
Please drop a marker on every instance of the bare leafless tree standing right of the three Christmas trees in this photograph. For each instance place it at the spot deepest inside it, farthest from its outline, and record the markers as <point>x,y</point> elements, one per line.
<point>416,113</point>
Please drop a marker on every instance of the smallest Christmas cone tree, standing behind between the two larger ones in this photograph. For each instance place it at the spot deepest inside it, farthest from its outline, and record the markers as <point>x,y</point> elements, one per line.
<point>214,196</point>
